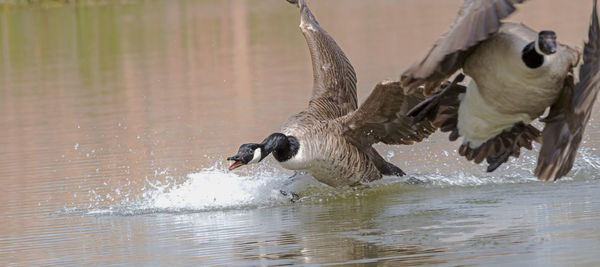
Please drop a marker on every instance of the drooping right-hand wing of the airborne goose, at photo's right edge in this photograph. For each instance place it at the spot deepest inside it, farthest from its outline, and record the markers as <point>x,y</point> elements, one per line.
<point>569,116</point>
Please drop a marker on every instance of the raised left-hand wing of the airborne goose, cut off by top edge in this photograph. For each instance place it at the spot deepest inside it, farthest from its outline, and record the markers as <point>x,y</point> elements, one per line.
<point>477,20</point>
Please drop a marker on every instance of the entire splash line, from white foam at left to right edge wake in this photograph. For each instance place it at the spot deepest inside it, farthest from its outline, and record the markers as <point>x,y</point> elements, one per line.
<point>216,188</point>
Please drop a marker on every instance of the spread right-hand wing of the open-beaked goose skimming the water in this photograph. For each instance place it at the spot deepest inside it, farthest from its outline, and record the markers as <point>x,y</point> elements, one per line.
<point>381,118</point>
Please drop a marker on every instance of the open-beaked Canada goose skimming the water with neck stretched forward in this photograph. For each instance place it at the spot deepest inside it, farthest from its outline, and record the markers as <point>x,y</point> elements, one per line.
<point>332,139</point>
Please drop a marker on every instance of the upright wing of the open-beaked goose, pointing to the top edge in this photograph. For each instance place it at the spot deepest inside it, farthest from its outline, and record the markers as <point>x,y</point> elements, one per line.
<point>334,86</point>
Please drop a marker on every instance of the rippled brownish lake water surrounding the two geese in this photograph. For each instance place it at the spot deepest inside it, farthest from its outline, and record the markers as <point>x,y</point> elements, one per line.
<point>117,118</point>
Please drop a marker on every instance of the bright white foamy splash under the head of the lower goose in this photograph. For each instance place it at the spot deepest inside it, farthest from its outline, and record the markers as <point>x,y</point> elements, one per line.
<point>213,188</point>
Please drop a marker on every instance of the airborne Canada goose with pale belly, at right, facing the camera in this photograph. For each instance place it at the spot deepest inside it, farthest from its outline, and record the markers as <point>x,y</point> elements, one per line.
<point>516,74</point>
